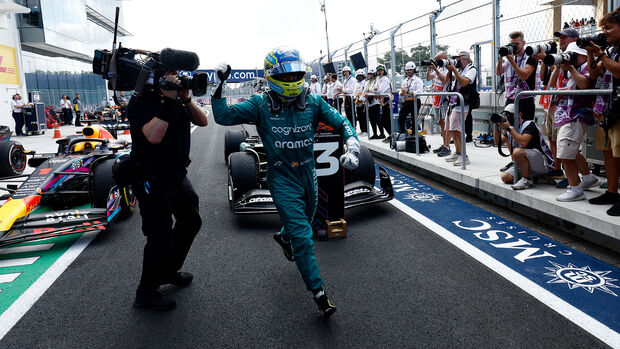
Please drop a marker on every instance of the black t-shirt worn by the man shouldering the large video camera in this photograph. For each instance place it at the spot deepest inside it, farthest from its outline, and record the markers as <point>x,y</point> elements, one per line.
<point>170,157</point>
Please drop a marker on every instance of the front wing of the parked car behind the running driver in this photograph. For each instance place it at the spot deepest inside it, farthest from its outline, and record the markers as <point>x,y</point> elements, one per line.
<point>360,193</point>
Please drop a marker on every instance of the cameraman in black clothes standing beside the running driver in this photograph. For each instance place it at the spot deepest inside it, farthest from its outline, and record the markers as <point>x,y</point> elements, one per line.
<point>160,130</point>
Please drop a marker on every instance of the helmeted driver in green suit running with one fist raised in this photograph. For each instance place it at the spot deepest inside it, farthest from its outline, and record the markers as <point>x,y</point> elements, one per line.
<point>287,119</point>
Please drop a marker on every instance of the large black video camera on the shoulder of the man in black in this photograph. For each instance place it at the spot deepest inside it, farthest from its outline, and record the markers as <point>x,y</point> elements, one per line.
<point>125,71</point>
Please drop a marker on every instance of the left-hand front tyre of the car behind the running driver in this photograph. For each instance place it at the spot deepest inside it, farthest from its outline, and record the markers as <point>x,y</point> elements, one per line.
<point>243,174</point>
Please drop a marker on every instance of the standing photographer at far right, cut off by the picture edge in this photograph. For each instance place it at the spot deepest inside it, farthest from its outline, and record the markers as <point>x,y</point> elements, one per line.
<point>606,71</point>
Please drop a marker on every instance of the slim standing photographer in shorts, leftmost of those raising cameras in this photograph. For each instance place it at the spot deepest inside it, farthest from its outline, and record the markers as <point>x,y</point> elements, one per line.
<point>440,81</point>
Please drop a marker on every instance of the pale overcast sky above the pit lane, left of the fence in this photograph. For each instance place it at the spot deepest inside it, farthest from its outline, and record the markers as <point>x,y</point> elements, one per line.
<point>241,32</point>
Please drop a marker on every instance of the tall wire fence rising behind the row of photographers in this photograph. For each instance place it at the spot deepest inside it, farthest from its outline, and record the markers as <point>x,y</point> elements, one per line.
<point>469,25</point>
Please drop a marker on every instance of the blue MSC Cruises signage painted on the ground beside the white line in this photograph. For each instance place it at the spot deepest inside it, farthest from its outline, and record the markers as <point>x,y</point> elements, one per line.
<point>580,280</point>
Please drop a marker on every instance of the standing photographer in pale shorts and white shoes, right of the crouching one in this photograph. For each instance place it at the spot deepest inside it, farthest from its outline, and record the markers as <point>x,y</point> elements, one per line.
<point>573,115</point>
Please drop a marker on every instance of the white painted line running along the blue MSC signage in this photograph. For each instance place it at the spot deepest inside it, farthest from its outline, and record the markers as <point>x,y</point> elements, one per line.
<point>581,319</point>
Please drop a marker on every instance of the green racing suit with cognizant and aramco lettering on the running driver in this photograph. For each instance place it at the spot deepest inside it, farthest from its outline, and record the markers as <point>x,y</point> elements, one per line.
<point>288,138</point>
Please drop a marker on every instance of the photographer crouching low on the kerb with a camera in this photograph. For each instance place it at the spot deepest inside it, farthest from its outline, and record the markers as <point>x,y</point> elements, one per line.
<point>529,156</point>
